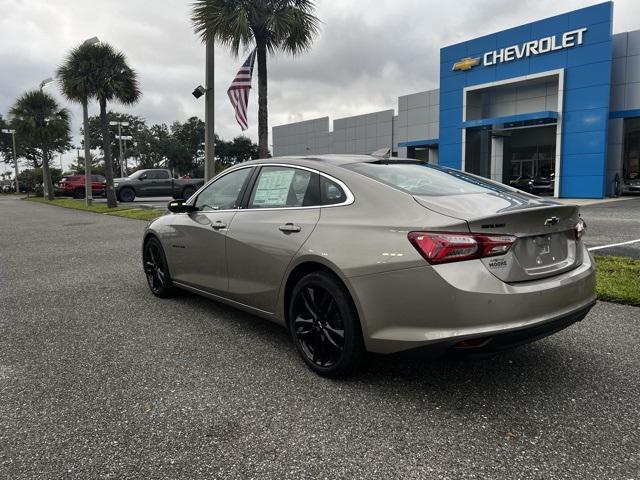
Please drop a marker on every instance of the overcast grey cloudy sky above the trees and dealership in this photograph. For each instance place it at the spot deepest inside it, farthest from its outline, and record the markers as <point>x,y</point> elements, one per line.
<point>368,52</point>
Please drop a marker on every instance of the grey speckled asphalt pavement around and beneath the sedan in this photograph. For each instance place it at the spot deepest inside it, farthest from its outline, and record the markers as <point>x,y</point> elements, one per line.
<point>99,379</point>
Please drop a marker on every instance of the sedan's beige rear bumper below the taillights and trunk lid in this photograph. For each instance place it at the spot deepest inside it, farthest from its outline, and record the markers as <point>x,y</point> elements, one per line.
<point>416,307</point>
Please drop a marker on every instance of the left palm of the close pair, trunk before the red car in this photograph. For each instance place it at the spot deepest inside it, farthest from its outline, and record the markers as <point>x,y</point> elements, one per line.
<point>77,77</point>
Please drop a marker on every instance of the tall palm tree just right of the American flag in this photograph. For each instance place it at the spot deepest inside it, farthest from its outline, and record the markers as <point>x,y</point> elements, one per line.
<point>270,25</point>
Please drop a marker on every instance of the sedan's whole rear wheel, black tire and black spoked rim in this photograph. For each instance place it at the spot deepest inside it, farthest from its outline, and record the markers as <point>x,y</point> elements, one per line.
<point>324,325</point>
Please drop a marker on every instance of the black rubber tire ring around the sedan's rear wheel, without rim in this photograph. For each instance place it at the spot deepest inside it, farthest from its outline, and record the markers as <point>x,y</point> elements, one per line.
<point>353,344</point>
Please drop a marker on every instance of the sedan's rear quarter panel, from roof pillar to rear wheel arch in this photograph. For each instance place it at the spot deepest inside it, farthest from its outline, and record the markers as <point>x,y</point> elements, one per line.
<point>369,236</point>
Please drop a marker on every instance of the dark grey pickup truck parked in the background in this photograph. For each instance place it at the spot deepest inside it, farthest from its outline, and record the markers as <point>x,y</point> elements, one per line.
<point>157,182</point>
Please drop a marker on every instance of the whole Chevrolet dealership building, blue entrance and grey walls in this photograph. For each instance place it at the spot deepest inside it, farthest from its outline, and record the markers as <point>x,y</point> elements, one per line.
<point>557,99</point>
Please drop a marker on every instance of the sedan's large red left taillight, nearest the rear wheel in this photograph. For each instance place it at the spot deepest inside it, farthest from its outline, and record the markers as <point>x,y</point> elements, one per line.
<point>445,247</point>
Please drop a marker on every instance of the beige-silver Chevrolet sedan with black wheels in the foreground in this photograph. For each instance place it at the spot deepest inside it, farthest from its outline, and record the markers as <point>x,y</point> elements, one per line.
<point>360,253</point>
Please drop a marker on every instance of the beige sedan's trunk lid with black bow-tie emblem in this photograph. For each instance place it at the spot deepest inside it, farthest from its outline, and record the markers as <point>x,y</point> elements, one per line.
<point>546,244</point>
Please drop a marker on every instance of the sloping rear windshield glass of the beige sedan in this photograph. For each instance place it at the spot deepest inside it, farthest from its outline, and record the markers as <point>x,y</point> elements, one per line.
<point>424,179</point>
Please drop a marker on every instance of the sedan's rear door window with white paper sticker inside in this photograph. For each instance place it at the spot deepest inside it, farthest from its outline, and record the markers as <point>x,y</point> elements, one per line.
<point>282,187</point>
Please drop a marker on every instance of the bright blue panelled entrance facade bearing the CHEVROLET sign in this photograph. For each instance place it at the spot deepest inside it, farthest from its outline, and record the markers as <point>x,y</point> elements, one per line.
<point>587,73</point>
